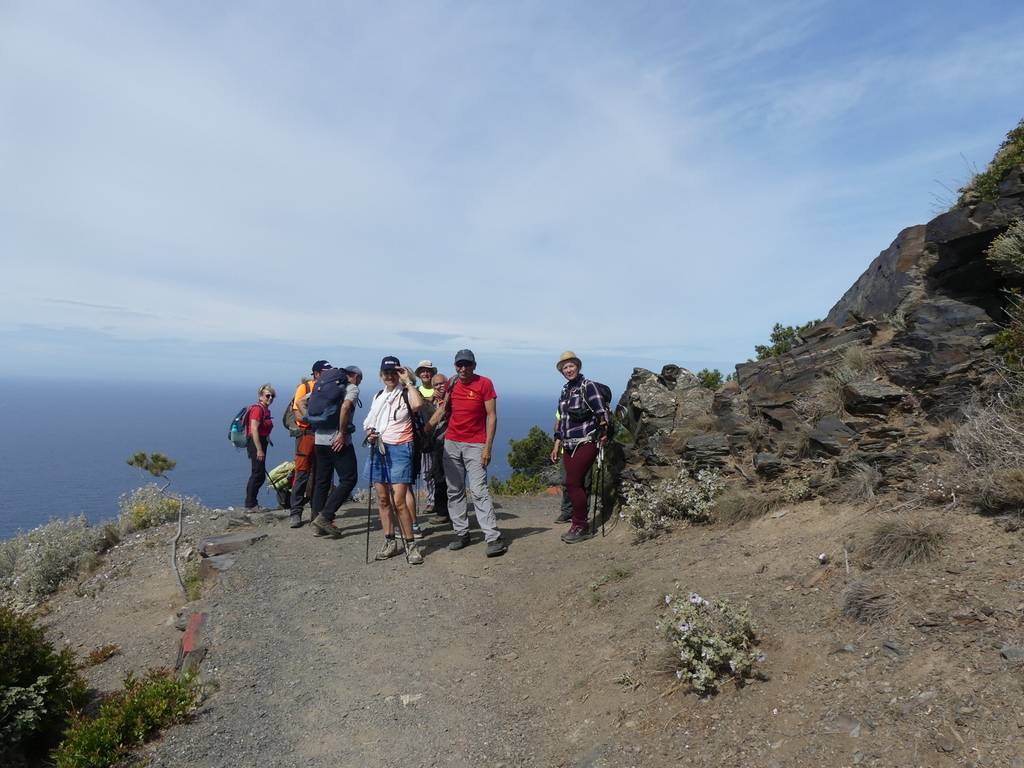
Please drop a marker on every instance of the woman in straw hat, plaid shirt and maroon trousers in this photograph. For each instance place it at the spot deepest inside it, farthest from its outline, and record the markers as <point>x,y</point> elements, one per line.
<point>580,434</point>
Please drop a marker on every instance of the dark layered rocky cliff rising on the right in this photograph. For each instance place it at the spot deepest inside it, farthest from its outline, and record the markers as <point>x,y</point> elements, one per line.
<point>867,391</point>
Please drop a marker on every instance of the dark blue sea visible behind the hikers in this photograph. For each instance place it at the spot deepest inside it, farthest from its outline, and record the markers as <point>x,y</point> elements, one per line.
<point>65,445</point>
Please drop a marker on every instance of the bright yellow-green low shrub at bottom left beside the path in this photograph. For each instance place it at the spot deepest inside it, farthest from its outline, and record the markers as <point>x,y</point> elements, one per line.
<point>127,720</point>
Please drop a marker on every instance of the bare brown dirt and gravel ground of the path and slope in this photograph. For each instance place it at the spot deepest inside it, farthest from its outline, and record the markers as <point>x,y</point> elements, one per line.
<point>549,657</point>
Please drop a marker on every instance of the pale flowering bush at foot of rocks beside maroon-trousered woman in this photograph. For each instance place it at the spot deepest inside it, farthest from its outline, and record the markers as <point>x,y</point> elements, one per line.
<point>651,509</point>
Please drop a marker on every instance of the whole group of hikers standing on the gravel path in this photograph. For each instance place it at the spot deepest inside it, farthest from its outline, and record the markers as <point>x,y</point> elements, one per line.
<point>420,424</point>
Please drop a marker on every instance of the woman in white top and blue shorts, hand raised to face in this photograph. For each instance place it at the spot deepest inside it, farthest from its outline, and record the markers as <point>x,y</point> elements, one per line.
<point>390,435</point>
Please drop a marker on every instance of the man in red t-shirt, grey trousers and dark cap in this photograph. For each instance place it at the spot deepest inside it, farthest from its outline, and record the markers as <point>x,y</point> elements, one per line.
<point>471,437</point>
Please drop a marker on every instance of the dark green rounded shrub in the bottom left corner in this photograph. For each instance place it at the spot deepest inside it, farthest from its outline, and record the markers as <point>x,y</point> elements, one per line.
<point>39,689</point>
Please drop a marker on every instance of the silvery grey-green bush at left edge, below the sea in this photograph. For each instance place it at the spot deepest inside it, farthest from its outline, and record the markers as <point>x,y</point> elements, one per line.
<point>34,565</point>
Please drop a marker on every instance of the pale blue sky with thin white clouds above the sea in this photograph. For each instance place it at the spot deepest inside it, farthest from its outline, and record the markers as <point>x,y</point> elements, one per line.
<point>231,191</point>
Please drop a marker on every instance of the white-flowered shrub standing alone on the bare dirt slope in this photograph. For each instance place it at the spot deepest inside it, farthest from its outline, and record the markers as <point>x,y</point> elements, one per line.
<point>714,643</point>
